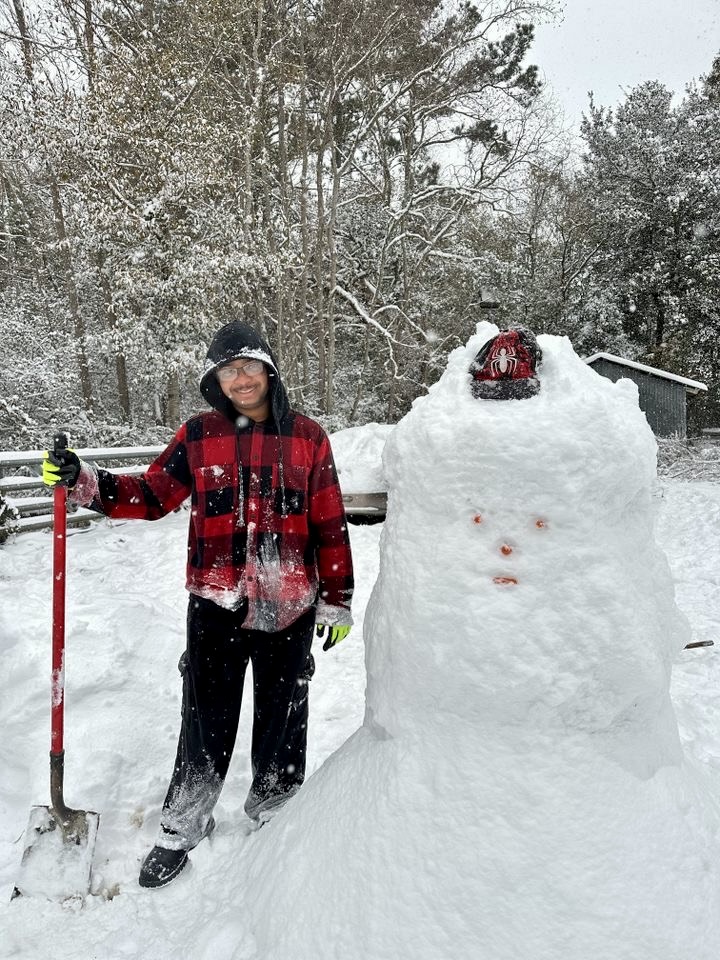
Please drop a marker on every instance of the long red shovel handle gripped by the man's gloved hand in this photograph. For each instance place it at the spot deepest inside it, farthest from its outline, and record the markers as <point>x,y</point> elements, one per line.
<point>57,714</point>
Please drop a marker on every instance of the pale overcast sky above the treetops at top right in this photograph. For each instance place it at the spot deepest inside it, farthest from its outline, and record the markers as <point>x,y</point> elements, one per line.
<point>608,46</point>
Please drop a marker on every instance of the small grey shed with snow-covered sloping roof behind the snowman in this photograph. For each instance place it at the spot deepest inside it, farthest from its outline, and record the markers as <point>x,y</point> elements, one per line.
<point>662,395</point>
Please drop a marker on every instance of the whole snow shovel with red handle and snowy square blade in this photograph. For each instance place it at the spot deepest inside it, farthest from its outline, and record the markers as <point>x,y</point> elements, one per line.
<point>59,842</point>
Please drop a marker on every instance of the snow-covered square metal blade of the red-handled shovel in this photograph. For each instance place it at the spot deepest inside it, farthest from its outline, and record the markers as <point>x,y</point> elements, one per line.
<point>57,860</point>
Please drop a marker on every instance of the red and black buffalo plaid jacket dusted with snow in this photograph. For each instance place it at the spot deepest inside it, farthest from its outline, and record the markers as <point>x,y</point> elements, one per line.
<point>267,522</point>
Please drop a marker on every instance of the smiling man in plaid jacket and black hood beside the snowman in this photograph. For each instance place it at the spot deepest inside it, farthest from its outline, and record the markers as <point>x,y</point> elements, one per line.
<point>268,561</point>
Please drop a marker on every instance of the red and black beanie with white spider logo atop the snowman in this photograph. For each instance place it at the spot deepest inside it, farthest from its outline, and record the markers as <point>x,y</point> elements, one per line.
<point>505,367</point>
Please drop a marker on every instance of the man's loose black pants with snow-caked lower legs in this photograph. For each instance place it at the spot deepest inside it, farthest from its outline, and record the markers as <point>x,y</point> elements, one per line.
<point>213,667</point>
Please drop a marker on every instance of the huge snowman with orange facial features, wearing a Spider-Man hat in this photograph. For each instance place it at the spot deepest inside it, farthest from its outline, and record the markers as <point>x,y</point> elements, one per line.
<point>518,787</point>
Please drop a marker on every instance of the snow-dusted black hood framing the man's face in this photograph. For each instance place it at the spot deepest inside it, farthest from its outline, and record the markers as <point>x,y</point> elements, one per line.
<point>235,340</point>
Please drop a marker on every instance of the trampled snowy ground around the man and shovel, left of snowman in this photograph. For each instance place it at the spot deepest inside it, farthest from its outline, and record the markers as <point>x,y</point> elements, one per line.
<point>125,631</point>
